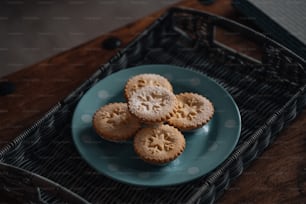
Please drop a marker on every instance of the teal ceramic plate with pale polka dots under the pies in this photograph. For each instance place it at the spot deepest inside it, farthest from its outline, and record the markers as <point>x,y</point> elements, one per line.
<point>206,148</point>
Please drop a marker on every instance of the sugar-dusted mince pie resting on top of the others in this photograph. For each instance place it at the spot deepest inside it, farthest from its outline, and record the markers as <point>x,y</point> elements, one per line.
<point>152,104</point>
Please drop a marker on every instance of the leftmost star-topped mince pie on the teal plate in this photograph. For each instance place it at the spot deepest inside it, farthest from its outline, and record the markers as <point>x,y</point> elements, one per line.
<point>114,122</point>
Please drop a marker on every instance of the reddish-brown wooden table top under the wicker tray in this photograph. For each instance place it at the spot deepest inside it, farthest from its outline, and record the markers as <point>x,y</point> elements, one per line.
<point>278,176</point>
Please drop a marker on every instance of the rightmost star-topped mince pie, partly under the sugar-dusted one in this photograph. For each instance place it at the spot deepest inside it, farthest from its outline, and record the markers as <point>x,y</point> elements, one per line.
<point>192,111</point>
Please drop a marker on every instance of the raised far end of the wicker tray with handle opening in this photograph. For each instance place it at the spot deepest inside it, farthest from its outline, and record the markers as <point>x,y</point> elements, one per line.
<point>220,33</point>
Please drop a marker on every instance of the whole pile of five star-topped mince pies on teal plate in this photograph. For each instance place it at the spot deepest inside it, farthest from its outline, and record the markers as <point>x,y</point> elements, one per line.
<point>154,117</point>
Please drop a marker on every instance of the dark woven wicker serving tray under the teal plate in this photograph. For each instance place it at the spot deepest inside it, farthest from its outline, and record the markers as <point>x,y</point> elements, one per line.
<point>42,164</point>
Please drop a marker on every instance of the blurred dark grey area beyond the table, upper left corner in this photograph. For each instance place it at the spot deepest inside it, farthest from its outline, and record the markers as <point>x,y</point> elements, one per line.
<point>32,30</point>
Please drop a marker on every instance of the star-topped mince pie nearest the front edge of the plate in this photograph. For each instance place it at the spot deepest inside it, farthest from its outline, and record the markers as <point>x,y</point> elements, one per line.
<point>159,144</point>
